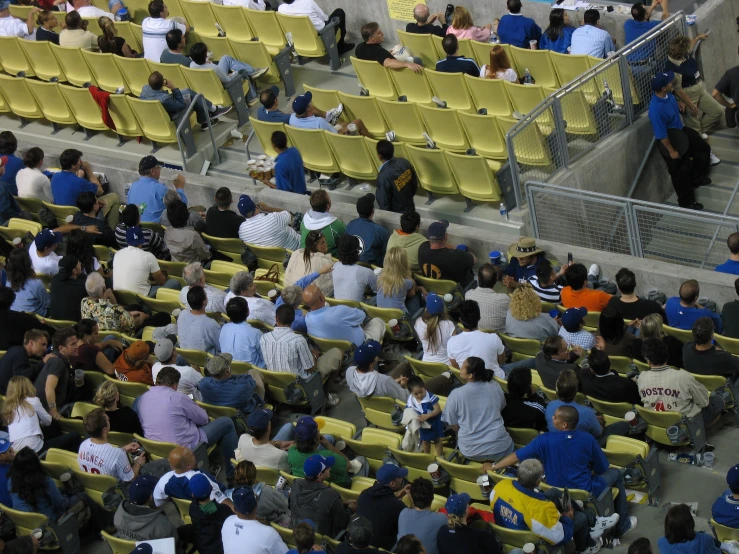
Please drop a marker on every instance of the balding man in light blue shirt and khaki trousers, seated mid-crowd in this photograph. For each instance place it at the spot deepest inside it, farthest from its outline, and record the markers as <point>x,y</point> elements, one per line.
<point>339,322</point>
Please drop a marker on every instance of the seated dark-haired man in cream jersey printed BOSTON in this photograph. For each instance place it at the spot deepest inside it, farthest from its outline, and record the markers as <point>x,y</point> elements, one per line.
<point>664,388</point>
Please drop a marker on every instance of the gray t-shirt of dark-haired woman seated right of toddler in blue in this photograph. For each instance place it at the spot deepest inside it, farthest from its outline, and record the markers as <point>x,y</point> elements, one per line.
<point>475,408</point>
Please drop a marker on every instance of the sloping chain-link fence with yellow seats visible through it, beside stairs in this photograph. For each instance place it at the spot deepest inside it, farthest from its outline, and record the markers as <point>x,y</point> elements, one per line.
<point>602,97</point>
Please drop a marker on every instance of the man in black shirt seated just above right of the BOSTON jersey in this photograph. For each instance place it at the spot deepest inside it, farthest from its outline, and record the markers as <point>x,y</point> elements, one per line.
<point>704,357</point>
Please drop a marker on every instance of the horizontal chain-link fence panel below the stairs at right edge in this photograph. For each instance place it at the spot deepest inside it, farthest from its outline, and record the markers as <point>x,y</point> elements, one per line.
<point>626,226</point>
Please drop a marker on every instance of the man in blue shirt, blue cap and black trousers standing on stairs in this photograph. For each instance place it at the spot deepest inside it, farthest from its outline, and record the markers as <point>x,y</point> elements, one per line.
<point>687,155</point>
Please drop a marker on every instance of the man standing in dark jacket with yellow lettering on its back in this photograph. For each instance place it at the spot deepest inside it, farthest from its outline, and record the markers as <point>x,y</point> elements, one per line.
<point>396,180</point>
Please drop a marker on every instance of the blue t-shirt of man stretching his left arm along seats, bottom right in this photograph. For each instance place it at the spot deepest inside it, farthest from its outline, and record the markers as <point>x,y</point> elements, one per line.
<point>571,459</point>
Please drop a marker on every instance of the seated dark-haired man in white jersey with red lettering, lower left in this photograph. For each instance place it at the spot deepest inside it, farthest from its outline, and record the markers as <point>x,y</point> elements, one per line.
<point>97,456</point>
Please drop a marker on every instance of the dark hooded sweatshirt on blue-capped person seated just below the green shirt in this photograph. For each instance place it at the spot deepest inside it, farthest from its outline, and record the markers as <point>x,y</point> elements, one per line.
<point>319,502</point>
